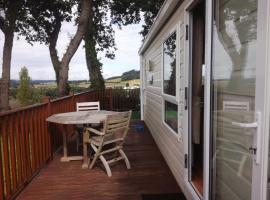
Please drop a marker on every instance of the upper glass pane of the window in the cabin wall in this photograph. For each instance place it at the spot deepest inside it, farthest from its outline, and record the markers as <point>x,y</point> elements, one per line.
<point>169,65</point>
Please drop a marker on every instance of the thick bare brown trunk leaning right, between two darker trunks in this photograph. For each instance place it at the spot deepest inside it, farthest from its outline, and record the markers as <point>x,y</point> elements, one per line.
<point>86,5</point>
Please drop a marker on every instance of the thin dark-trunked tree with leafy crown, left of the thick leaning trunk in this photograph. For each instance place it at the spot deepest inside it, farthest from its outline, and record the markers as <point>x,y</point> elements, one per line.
<point>43,24</point>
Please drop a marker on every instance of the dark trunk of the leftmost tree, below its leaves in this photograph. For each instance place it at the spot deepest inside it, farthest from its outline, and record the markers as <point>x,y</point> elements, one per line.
<point>7,52</point>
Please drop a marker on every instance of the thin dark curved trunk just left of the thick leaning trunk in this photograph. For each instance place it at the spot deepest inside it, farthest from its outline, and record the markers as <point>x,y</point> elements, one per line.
<point>52,48</point>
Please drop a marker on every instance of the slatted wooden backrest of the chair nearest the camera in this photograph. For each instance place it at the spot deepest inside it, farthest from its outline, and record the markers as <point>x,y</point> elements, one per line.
<point>117,125</point>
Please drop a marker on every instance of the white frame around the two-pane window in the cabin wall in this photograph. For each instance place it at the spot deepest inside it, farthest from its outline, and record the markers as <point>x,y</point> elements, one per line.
<point>167,97</point>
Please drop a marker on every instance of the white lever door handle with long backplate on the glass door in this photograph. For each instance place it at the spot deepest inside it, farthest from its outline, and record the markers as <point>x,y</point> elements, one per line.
<point>257,137</point>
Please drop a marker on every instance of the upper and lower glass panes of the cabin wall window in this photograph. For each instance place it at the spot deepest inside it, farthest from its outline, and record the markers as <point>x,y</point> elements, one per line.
<point>169,83</point>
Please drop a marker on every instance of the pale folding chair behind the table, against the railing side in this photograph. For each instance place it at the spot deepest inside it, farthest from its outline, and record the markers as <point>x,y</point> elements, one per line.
<point>85,106</point>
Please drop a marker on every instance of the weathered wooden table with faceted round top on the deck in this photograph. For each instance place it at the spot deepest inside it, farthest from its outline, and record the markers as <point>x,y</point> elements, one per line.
<point>77,118</point>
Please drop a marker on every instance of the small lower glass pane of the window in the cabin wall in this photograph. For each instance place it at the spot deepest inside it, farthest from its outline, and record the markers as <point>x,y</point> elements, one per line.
<point>171,113</point>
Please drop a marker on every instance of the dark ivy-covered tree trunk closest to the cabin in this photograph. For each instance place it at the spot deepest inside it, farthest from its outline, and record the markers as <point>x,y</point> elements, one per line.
<point>92,62</point>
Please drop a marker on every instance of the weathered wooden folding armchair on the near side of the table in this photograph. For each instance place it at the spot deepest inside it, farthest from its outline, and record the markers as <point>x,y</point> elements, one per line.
<point>109,141</point>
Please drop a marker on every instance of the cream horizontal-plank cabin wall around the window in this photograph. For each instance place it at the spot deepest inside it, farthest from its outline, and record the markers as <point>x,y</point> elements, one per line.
<point>170,145</point>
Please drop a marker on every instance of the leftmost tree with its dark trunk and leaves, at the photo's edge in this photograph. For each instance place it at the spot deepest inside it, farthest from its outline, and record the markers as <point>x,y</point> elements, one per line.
<point>10,12</point>
